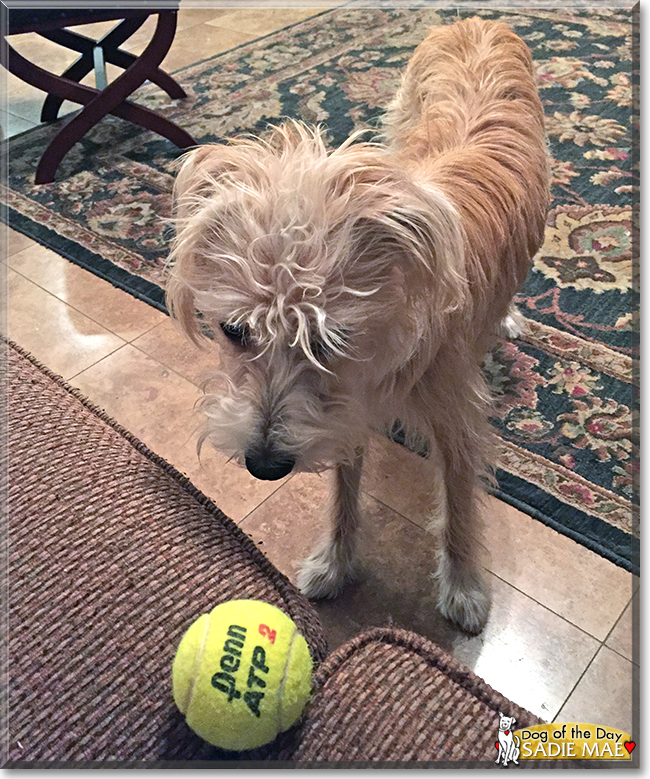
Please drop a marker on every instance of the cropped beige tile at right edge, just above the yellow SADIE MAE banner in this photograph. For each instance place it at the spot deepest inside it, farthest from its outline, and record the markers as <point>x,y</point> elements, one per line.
<point>604,695</point>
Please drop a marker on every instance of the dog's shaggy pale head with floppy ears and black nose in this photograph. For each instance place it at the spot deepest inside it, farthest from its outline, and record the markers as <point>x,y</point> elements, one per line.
<point>326,276</point>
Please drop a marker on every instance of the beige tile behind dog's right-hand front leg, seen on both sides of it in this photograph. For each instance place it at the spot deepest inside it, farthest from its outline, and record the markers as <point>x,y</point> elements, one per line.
<point>549,567</point>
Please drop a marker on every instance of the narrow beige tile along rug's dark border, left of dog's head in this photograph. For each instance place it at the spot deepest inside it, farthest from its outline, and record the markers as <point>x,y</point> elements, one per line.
<point>113,308</point>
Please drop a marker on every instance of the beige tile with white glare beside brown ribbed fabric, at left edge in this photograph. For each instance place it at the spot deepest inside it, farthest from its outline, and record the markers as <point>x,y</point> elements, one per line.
<point>61,337</point>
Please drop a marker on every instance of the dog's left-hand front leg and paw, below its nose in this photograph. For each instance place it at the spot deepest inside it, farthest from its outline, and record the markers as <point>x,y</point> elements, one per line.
<point>331,565</point>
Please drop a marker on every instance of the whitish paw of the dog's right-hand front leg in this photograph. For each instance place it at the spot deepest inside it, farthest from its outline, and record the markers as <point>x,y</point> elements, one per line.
<point>464,599</point>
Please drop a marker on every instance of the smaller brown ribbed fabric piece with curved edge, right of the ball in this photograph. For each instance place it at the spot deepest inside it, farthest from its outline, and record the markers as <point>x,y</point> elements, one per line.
<point>390,696</point>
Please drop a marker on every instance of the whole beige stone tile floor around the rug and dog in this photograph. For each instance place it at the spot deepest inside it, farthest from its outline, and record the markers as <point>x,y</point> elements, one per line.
<point>559,640</point>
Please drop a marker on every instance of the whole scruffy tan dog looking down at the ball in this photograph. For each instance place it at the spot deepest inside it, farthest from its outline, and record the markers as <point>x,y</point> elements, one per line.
<point>357,288</point>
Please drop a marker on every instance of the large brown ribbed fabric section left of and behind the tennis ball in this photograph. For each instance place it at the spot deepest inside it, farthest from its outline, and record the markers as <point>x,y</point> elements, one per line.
<point>112,554</point>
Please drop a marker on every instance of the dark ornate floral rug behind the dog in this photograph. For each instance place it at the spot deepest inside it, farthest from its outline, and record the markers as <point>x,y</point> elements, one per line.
<point>567,393</point>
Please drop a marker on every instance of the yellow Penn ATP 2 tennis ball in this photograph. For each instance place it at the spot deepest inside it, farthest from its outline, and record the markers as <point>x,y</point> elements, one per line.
<point>242,674</point>
